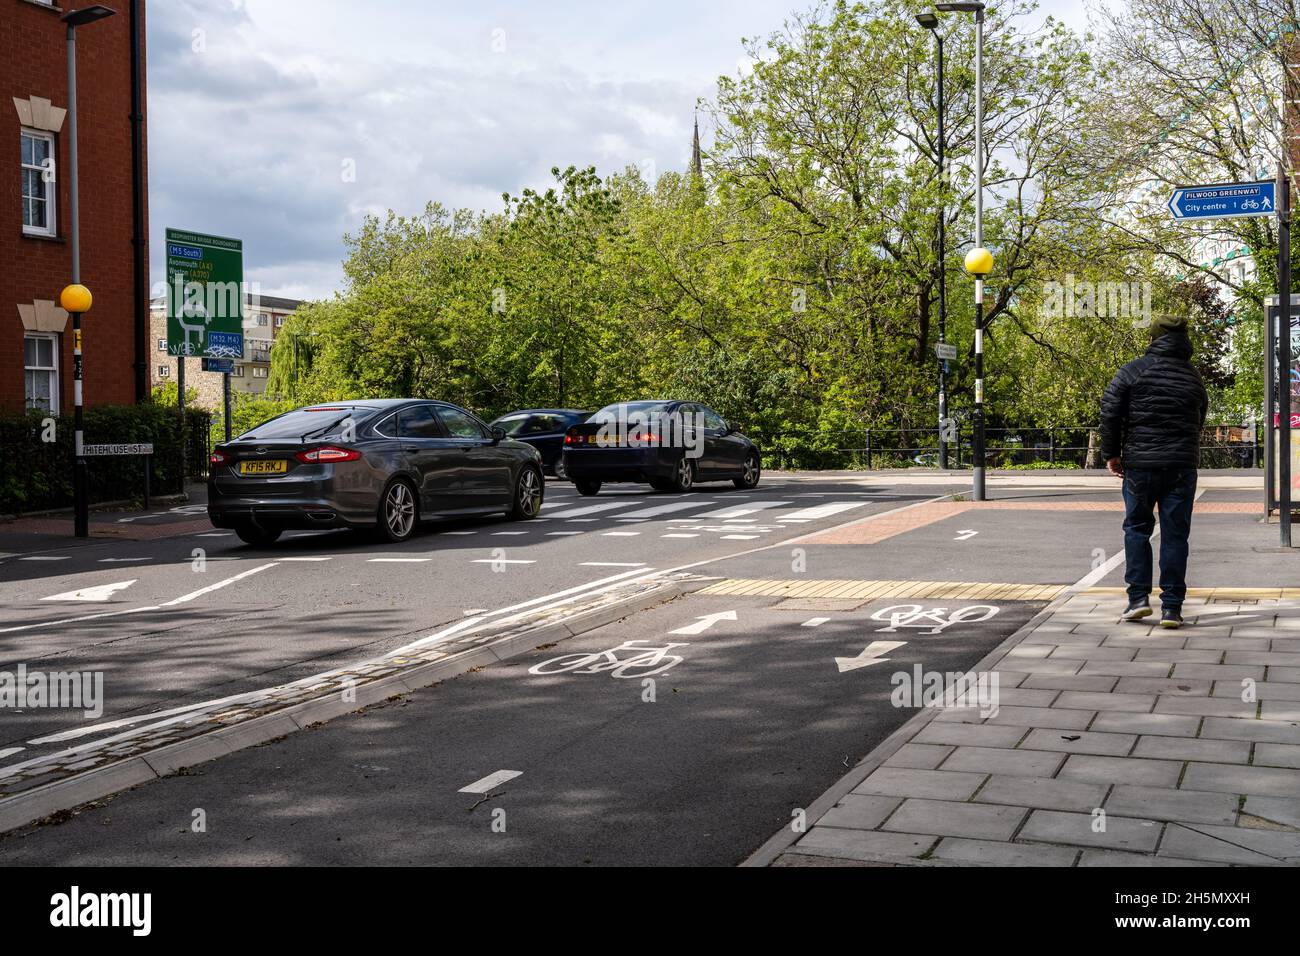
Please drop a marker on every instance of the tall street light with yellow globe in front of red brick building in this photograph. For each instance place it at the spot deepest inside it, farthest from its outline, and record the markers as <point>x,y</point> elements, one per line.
<point>76,299</point>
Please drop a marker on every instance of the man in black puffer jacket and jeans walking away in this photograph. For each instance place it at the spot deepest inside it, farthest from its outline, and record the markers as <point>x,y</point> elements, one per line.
<point>1151,425</point>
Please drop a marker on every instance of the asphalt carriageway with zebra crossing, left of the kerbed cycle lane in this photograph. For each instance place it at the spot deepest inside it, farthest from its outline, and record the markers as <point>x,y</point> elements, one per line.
<point>202,616</point>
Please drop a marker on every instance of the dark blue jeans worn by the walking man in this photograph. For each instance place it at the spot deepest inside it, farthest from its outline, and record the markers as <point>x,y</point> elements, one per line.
<point>1173,490</point>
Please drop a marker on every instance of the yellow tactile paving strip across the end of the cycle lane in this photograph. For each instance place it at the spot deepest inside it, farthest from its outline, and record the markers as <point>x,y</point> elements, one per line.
<point>870,591</point>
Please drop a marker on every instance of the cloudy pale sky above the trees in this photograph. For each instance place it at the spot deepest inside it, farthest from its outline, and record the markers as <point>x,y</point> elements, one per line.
<point>285,122</point>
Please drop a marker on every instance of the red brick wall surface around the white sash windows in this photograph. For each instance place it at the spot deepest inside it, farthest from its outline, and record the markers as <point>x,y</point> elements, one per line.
<point>33,63</point>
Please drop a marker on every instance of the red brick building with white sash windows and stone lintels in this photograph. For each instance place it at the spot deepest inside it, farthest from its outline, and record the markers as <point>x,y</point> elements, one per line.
<point>36,258</point>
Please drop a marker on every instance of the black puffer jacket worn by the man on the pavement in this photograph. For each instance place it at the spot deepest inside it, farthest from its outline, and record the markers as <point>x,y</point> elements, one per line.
<point>1155,409</point>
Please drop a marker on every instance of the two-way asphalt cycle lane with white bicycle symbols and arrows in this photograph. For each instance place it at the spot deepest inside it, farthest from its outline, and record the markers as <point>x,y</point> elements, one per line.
<point>744,724</point>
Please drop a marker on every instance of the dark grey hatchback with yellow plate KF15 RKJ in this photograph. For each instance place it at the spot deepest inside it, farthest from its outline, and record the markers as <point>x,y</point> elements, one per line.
<point>384,465</point>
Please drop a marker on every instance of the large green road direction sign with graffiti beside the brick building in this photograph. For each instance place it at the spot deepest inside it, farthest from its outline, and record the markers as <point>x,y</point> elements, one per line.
<point>205,297</point>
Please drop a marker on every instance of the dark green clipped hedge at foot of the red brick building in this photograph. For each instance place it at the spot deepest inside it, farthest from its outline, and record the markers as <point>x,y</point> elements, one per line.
<point>37,465</point>
